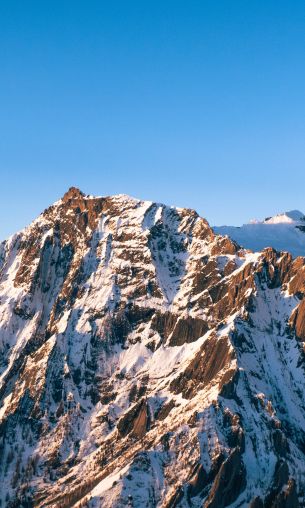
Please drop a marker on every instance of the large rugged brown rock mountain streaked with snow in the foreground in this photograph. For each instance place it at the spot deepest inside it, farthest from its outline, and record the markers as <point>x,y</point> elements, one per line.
<point>148,362</point>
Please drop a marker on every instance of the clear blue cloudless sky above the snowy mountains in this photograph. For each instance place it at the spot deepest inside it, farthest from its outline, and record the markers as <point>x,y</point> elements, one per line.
<point>192,103</point>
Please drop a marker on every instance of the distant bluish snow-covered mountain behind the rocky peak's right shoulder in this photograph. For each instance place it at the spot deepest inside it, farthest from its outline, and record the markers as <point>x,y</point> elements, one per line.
<point>285,232</point>
